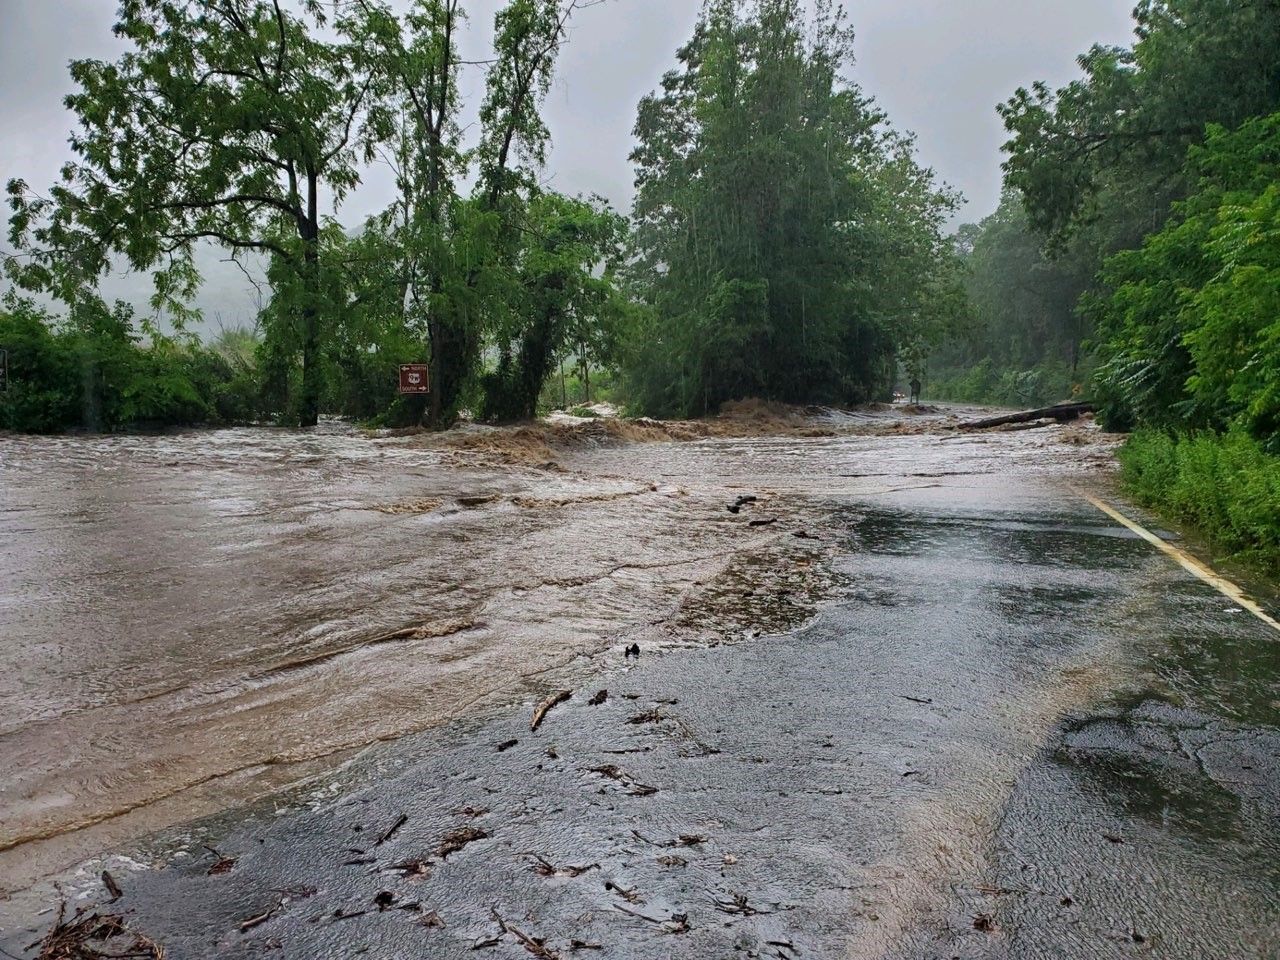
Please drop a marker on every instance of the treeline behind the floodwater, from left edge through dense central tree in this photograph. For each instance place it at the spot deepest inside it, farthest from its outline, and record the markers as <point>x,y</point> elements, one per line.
<point>784,241</point>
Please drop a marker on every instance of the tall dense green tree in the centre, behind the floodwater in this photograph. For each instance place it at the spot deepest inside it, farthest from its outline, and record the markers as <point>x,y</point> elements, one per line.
<point>769,186</point>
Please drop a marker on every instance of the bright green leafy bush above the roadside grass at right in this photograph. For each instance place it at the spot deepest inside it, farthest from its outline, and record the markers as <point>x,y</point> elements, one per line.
<point>1190,327</point>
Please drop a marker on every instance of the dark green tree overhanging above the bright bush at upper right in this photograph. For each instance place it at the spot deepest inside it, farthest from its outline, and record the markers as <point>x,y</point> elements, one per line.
<point>1109,149</point>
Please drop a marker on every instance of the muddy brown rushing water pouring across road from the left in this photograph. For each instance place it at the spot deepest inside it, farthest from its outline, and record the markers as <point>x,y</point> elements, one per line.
<point>191,620</point>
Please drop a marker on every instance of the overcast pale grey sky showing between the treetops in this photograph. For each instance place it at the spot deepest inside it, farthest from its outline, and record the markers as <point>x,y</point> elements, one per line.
<point>938,67</point>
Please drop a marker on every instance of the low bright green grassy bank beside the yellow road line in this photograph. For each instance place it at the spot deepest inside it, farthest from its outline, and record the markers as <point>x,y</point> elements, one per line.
<point>1226,486</point>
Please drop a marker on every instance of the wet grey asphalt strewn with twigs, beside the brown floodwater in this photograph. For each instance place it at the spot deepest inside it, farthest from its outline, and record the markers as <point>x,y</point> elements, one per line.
<point>1007,729</point>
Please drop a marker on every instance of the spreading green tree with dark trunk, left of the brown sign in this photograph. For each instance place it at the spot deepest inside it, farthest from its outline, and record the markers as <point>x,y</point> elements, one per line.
<point>230,122</point>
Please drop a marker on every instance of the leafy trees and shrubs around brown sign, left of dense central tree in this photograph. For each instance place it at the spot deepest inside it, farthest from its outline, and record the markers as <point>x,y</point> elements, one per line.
<point>245,124</point>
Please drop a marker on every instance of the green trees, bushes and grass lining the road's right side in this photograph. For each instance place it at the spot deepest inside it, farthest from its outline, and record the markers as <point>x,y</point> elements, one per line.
<point>1140,244</point>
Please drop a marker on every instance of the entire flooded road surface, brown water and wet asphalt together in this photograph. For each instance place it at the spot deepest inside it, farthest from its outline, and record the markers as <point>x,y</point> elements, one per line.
<point>902,693</point>
